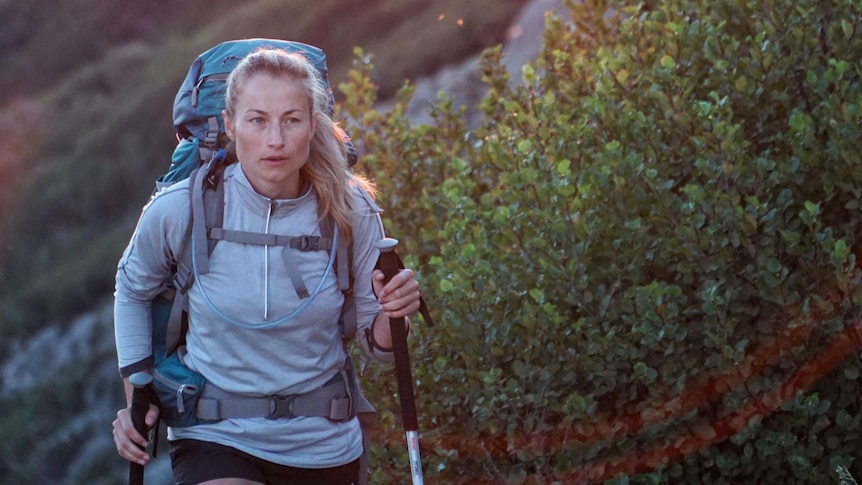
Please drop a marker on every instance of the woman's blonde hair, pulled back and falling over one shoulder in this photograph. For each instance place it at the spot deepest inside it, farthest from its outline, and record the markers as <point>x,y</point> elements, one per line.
<point>327,169</point>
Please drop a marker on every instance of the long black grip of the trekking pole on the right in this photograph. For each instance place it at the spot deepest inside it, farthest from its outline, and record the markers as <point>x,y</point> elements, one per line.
<point>388,263</point>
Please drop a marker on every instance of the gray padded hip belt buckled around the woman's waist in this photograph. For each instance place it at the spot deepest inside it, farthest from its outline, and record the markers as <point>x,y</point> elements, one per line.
<point>332,401</point>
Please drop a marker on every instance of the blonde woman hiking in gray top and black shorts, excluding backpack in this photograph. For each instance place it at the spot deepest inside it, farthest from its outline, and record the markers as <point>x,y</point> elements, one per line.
<point>291,174</point>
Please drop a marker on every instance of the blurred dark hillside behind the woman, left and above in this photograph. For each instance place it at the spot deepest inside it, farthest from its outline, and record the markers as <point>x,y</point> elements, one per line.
<point>86,91</point>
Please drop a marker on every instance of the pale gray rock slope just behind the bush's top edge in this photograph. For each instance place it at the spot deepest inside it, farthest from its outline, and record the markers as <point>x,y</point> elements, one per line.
<point>463,82</point>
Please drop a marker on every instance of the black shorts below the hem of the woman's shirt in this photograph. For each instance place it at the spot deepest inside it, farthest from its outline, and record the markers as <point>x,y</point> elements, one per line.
<point>196,461</point>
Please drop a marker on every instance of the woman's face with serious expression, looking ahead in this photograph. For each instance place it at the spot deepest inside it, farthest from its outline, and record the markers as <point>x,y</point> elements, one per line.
<point>272,129</point>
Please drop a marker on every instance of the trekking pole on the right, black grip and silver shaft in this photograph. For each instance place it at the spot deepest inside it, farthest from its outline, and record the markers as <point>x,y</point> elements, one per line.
<point>389,266</point>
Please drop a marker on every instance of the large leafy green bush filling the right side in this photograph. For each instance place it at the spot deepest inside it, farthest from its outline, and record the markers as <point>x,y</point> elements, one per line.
<point>642,259</point>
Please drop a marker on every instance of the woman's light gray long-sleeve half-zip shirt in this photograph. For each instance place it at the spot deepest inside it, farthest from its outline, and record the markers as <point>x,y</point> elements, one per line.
<point>249,284</point>
